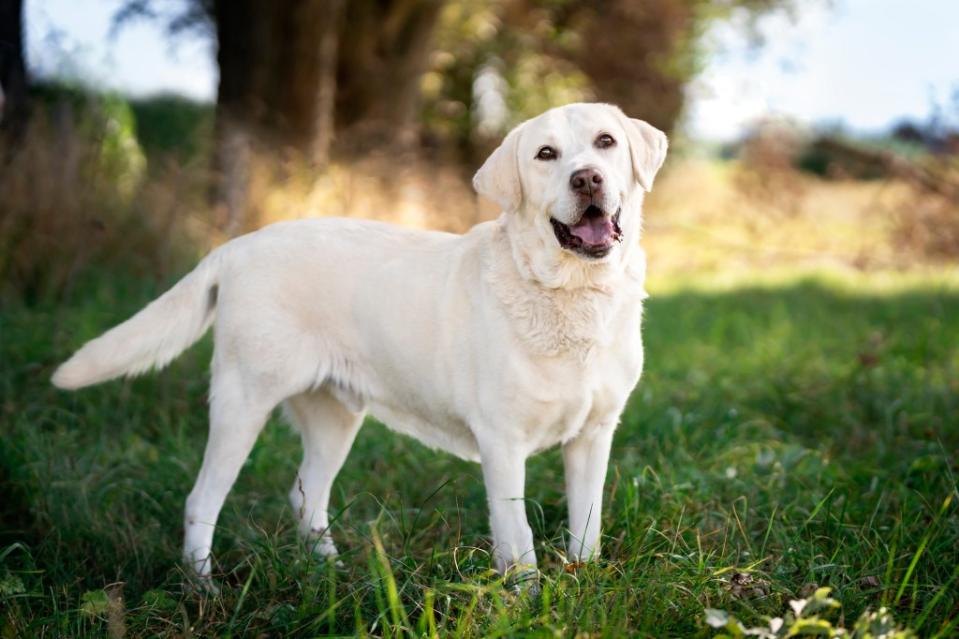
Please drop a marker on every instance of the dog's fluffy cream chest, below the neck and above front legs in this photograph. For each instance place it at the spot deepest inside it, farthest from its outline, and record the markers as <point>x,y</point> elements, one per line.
<point>571,356</point>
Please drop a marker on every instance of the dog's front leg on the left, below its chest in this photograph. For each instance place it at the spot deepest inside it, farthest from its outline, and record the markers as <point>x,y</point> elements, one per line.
<point>504,472</point>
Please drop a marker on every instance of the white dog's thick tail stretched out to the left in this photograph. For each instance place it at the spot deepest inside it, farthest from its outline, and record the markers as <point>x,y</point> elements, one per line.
<point>153,337</point>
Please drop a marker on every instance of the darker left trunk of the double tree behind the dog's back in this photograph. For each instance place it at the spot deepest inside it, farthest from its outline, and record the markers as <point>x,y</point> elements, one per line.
<point>276,90</point>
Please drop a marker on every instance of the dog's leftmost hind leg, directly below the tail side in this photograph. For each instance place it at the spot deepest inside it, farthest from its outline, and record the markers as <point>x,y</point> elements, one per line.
<point>235,422</point>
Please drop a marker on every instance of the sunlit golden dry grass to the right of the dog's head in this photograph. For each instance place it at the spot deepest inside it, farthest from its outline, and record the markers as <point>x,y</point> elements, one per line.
<point>720,219</point>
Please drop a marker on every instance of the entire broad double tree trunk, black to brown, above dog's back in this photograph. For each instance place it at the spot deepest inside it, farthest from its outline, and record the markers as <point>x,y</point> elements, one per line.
<point>293,71</point>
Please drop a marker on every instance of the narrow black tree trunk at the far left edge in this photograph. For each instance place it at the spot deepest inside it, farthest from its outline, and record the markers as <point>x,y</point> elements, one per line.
<point>14,96</point>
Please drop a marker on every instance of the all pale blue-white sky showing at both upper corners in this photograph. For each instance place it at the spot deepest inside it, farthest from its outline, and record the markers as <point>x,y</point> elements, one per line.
<point>864,64</point>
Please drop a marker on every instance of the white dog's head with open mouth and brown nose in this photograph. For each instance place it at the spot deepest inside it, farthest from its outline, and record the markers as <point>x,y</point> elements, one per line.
<point>575,176</point>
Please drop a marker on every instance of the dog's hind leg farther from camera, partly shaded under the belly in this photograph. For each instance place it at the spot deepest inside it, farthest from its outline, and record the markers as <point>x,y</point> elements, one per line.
<point>328,429</point>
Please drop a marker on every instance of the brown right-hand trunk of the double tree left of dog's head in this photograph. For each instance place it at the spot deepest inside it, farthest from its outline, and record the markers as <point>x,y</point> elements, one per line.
<point>383,53</point>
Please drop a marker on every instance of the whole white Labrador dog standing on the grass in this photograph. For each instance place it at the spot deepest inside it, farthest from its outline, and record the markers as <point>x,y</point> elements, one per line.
<point>521,334</point>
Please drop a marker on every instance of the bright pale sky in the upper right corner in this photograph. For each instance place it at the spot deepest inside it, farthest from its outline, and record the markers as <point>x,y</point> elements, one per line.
<point>862,63</point>
